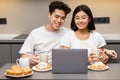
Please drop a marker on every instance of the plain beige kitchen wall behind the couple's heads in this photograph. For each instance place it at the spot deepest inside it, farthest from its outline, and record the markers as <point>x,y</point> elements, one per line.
<point>25,15</point>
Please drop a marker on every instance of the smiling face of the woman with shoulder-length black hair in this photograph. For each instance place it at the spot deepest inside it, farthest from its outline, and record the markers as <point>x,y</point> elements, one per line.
<point>81,20</point>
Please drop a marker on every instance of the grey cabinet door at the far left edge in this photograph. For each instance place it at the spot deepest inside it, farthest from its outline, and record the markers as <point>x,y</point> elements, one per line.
<point>5,56</point>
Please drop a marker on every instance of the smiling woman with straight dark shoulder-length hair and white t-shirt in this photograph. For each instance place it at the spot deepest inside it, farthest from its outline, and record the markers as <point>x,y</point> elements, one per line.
<point>84,36</point>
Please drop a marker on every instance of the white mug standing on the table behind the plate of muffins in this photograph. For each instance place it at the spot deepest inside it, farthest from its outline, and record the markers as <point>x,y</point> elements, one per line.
<point>23,62</point>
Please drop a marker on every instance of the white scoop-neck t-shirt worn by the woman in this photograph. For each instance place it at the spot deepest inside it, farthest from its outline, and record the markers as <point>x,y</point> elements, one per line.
<point>94,41</point>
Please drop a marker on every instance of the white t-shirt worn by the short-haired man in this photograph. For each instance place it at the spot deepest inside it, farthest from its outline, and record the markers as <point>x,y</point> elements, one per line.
<point>42,41</point>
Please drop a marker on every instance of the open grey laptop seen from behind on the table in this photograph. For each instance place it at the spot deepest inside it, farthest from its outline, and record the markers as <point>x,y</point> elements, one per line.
<point>69,61</point>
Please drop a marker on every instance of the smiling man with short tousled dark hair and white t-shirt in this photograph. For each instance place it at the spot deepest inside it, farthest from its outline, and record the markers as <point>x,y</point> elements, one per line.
<point>46,37</point>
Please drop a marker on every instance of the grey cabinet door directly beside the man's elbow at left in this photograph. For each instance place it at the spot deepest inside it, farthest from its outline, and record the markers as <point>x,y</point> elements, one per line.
<point>15,52</point>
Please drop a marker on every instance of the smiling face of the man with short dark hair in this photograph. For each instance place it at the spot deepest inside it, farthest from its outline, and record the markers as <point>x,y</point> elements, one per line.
<point>57,19</point>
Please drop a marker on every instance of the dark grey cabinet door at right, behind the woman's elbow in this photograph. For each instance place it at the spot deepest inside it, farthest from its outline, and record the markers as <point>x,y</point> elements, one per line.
<point>115,47</point>
